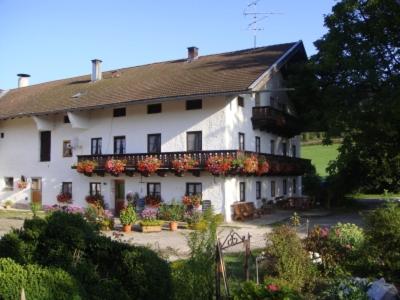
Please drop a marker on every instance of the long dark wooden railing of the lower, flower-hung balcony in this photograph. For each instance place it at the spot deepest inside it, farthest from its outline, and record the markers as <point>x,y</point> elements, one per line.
<point>279,165</point>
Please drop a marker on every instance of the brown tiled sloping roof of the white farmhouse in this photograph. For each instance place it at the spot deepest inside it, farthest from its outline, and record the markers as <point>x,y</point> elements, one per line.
<point>210,74</point>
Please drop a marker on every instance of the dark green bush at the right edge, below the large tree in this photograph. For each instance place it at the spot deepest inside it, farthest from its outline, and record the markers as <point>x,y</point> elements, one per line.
<point>382,228</point>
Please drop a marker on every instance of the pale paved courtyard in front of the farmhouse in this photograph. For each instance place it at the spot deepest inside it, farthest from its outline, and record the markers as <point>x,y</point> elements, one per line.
<point>173,245</point>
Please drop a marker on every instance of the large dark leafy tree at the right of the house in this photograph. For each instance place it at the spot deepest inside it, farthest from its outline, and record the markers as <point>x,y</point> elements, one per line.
<point>356,84</point>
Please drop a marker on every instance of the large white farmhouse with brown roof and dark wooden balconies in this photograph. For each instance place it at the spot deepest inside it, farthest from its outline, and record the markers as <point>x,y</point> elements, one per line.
<point>224,105</point>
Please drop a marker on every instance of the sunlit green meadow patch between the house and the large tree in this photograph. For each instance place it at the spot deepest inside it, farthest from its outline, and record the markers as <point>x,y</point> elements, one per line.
<point>320,156</point>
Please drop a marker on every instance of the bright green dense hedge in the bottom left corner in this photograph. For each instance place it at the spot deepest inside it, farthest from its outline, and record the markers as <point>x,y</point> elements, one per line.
<point>38,282</point>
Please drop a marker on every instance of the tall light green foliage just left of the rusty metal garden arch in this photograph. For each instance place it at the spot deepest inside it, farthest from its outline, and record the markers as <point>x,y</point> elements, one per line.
<point>194,277</point>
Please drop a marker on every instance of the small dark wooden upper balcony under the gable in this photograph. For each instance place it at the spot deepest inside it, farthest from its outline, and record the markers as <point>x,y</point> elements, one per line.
<point>275,121</point>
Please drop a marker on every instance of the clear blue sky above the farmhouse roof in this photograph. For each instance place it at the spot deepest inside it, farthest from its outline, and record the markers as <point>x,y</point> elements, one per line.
<point>55,39</point>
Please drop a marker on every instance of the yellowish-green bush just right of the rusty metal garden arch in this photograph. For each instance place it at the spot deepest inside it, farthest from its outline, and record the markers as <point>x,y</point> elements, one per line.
<point>288,260</point>
